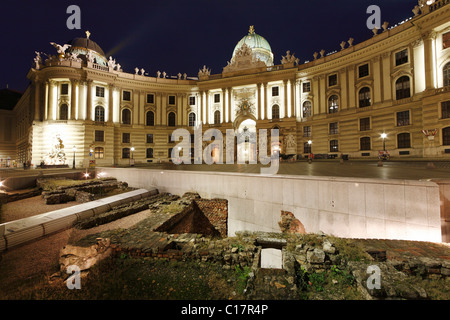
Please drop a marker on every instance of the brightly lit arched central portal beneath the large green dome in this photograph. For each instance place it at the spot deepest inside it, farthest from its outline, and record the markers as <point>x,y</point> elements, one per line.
<point>246,141</point>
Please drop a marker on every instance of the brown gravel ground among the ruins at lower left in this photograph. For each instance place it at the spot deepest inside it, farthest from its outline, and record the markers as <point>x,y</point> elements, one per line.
<point>40,257</point>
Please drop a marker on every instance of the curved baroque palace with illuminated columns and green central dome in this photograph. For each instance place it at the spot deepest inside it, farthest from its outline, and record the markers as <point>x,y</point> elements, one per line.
<point>396,83</point>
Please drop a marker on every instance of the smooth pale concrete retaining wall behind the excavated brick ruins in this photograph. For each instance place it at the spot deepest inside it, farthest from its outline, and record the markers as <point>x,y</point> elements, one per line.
<point>344,207</point>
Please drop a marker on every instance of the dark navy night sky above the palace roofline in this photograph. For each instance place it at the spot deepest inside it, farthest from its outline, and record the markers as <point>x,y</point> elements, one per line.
<point>183,35</point>
